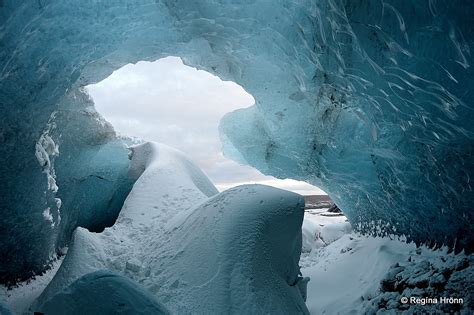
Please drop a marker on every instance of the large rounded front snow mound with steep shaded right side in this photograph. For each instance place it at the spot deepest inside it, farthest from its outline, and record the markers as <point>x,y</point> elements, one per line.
<point>244,245</point>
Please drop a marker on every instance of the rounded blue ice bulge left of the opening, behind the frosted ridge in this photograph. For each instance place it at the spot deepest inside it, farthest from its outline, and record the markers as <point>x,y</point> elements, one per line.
<point>92,167</point>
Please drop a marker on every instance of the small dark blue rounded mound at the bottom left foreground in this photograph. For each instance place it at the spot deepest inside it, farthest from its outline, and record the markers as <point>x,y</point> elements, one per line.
<point>103,292</point>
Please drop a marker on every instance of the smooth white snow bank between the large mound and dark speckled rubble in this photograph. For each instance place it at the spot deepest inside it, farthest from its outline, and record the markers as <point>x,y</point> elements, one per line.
<point>347,269</point>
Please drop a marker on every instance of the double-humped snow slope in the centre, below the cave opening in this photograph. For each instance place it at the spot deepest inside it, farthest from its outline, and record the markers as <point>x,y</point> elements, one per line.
<point>234,252</point>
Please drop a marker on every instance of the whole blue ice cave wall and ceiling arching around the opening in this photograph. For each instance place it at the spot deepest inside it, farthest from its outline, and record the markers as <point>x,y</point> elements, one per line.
<point>369,100</point>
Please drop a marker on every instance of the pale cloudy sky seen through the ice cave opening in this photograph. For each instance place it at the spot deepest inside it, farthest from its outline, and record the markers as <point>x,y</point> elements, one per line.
<point>167,102</point>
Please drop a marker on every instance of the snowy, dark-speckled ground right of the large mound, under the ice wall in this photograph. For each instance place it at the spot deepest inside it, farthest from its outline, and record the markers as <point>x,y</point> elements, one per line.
<point>352,273</point>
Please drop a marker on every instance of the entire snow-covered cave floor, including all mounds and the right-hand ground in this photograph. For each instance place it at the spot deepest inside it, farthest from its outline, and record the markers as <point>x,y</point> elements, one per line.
<point>180,245</point>
